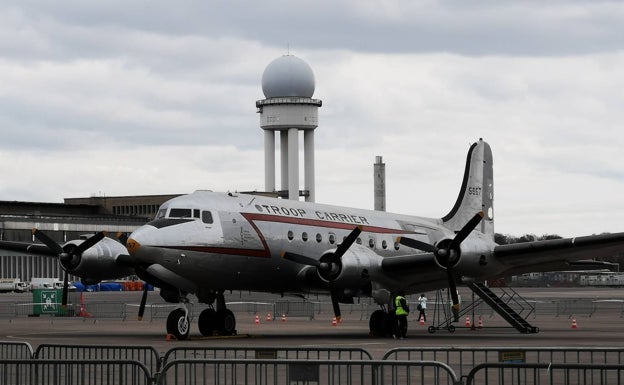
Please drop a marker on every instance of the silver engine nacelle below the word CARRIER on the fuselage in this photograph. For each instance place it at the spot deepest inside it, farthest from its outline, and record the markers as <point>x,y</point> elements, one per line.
<point>354,269</point>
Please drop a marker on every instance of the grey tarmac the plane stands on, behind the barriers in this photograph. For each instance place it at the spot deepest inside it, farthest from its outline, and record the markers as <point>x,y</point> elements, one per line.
<point>603,329</point>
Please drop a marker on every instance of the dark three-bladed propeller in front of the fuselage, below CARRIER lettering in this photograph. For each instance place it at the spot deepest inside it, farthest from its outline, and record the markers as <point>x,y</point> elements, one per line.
<point>329,266</point>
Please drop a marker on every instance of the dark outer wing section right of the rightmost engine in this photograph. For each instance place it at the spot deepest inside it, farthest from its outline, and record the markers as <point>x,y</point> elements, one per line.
<point>557,254</point>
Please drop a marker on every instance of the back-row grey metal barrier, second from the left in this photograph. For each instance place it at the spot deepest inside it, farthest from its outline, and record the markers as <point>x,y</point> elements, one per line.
<point>147,355</point>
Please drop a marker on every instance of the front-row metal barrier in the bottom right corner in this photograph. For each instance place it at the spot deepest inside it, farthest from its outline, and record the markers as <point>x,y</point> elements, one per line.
<point>545,373</point>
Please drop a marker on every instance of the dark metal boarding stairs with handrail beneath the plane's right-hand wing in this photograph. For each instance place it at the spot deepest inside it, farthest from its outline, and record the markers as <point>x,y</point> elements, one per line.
<point>504,305</point>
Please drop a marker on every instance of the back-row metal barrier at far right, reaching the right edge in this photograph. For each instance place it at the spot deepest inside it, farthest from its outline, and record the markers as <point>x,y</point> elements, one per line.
<point>465,359</point>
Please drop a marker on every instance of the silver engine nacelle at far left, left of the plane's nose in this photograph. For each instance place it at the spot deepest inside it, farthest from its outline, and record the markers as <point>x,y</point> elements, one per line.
<point>98,262</point>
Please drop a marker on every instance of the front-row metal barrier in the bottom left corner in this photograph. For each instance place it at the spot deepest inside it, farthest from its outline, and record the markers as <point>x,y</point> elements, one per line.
<point>84,372</point>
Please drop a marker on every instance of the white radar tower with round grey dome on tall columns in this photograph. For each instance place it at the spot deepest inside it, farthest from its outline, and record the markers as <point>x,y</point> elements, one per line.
<point>288,85</point>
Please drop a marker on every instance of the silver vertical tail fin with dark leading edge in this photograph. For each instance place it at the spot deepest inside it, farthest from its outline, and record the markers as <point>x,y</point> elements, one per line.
<point>476,193</point>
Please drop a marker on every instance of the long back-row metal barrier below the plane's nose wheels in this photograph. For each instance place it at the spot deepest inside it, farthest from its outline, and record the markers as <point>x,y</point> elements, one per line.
<point>274,353</point>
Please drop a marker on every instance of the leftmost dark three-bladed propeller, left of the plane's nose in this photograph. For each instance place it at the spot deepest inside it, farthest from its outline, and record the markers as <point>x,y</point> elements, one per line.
<point>69,255</point>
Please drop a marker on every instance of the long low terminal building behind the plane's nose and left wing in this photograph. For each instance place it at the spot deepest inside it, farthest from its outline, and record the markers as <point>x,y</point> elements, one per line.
<point>73,219</point>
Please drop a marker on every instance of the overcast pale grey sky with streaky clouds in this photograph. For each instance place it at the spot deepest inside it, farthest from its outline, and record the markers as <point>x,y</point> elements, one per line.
<point>157,97</point>
